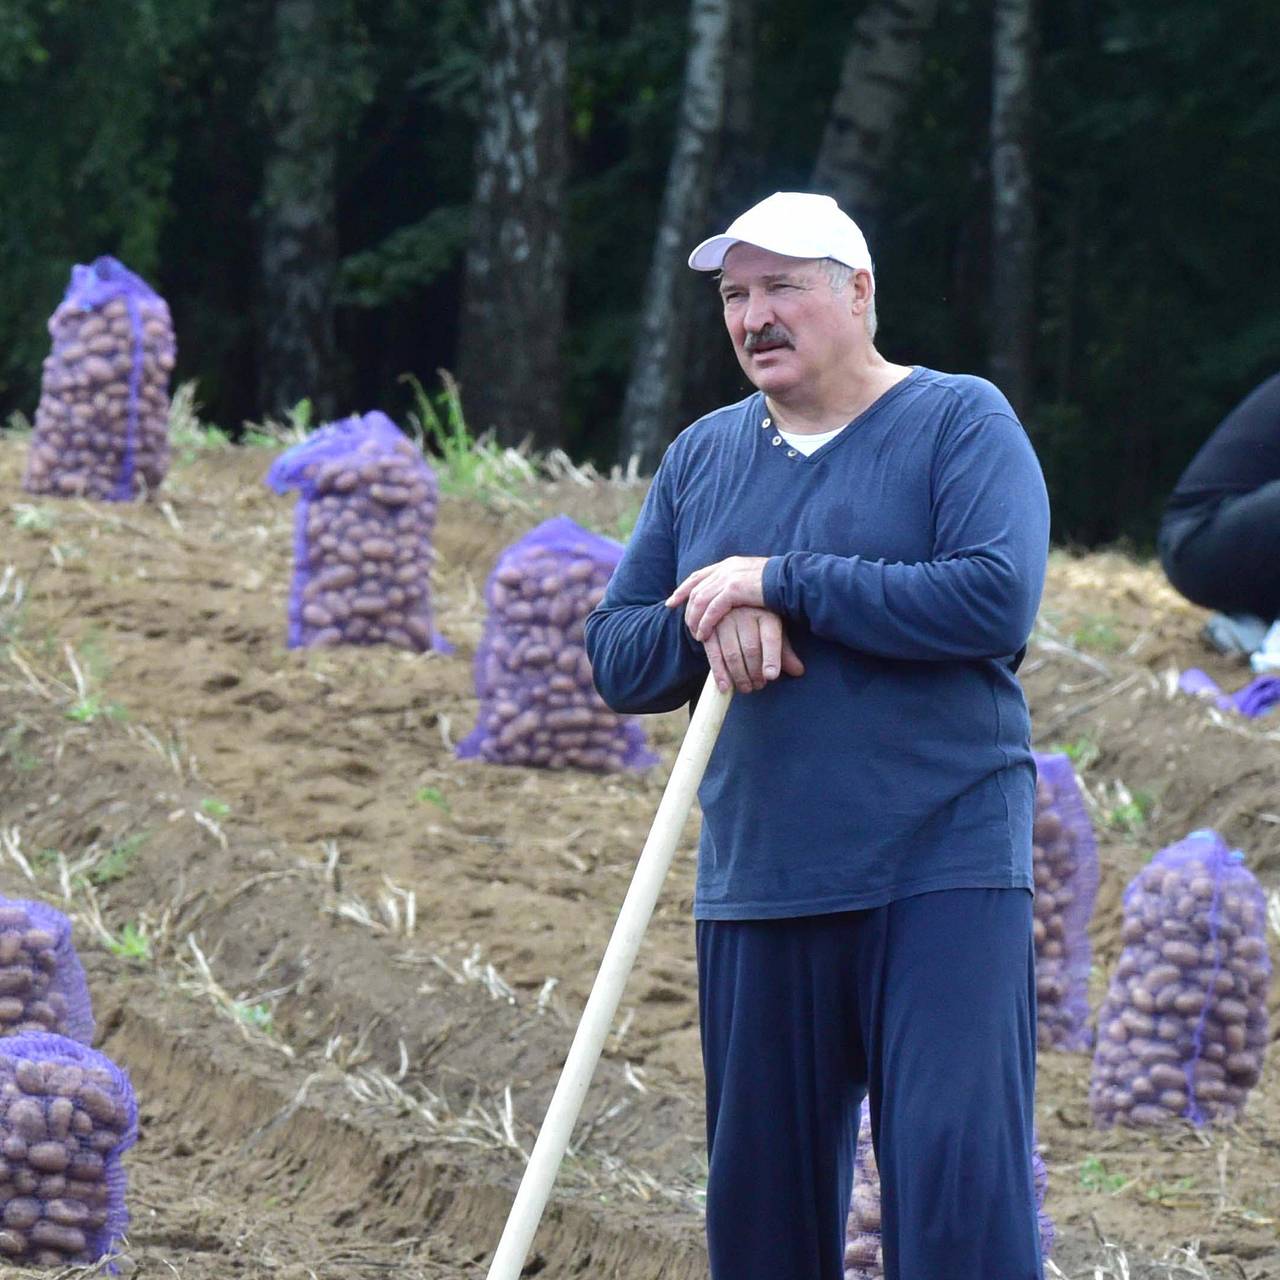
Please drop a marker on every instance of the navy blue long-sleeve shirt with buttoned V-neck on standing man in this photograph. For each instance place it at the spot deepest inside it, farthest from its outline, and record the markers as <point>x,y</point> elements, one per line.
<point>907,557</point>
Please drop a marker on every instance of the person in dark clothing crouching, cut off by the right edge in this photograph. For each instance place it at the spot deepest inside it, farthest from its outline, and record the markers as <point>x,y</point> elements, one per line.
<point>1220,536</point>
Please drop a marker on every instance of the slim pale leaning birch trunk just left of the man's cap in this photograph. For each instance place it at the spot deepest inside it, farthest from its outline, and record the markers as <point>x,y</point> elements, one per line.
<point>660,362</point>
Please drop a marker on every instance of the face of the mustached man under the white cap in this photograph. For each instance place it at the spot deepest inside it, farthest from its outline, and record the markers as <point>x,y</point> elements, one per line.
<point>789,328</point>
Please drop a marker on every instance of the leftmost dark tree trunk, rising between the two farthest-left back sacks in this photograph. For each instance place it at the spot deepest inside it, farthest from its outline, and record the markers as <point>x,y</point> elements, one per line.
<point>300,240</point>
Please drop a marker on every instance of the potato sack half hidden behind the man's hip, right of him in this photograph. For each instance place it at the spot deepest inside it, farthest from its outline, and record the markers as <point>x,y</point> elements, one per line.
<point>1066,866</point>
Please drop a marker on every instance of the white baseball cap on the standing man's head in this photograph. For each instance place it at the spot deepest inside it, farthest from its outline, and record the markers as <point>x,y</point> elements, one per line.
<point>794,223</point>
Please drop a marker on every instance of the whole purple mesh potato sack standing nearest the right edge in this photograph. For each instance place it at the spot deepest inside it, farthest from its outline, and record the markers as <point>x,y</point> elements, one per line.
<point>1183,1030</point>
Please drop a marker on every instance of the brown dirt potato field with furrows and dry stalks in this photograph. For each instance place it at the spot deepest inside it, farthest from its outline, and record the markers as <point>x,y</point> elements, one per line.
<point>345,968</point>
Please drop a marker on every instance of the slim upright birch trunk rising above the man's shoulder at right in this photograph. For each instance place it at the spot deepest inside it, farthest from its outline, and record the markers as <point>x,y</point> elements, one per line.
<point>1013,220</point>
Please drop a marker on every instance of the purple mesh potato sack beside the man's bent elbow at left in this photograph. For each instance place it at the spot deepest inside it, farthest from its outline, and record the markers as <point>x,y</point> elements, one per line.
<point>538,705</point>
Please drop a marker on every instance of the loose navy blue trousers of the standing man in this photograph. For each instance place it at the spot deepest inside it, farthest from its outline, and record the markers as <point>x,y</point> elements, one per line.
<point>927,1005</point>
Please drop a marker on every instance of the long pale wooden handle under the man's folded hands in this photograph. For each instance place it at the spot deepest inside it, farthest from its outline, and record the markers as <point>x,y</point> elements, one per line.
<point>620,957</point>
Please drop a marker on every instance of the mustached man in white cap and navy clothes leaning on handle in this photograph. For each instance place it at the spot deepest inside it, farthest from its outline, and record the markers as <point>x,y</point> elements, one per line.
<point>861,547</point>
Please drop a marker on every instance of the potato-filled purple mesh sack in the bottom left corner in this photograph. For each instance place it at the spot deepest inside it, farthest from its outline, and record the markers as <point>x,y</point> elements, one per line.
<point>67,1116</point>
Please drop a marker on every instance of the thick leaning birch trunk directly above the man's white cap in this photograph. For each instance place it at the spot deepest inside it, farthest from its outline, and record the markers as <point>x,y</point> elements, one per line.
<point>883,67</point>
